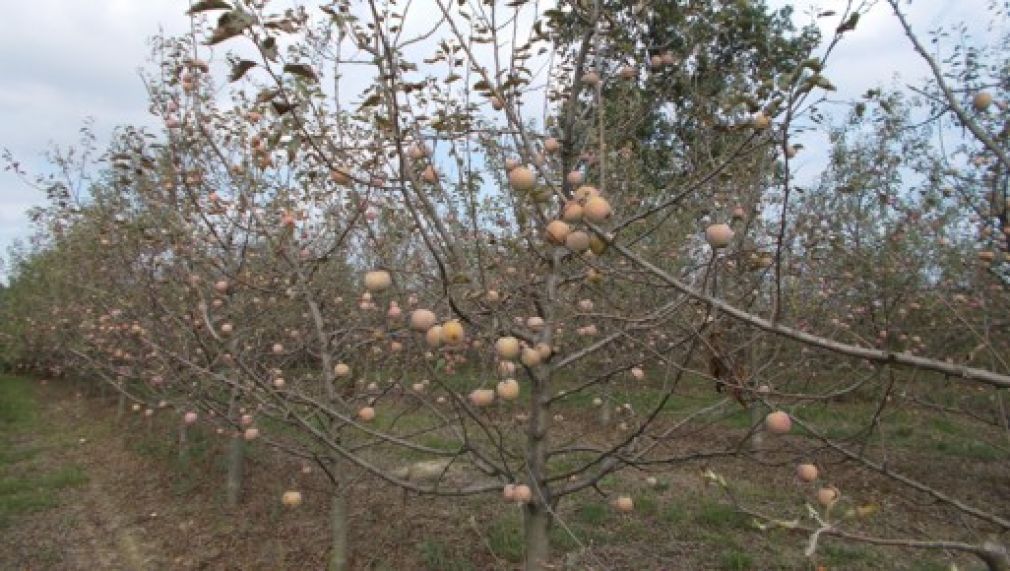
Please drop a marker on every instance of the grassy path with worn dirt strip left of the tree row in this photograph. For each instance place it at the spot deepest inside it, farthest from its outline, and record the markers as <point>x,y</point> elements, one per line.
<point>58,509</point>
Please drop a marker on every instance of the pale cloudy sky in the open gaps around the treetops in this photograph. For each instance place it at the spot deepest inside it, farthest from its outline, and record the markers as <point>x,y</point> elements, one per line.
<point>64,61</point>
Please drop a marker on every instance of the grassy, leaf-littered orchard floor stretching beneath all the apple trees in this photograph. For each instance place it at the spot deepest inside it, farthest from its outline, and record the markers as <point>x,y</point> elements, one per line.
<point>166,513</point>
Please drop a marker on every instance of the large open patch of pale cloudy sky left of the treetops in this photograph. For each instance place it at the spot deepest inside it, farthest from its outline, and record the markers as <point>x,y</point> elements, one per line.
<point>63,62</point>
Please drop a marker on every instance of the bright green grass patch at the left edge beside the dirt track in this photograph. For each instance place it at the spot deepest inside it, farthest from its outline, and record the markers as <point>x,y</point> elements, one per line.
<point>25,487</point>
